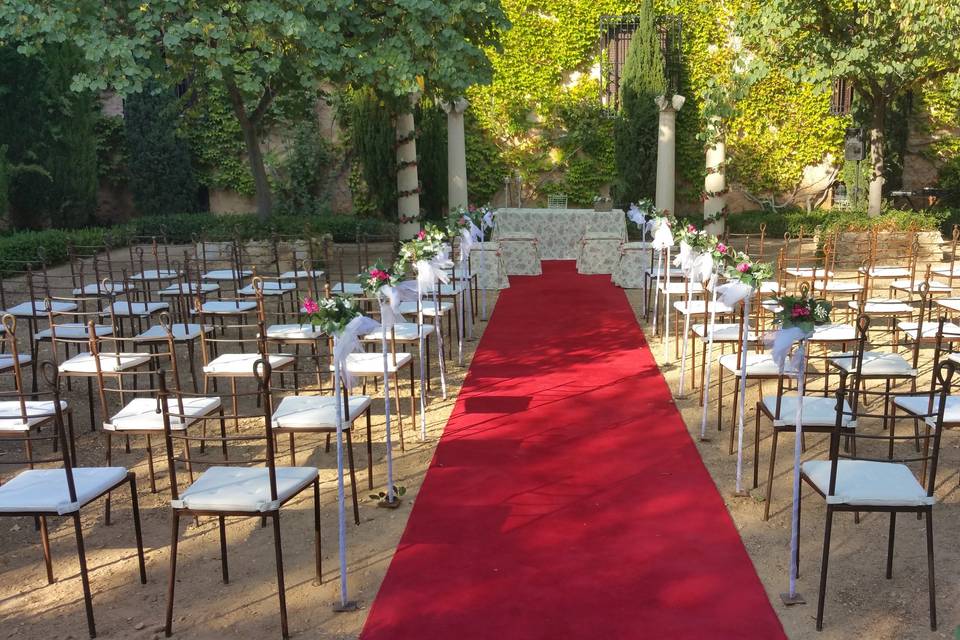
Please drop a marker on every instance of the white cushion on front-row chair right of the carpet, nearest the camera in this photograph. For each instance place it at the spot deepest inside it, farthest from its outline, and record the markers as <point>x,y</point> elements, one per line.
<point>867,483</point>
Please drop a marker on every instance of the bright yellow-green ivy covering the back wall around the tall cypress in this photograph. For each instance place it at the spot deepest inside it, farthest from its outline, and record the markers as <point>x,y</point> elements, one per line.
<point>543,106</point>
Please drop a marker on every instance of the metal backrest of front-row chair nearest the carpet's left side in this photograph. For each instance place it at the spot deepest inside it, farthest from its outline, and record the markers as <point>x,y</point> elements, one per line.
<point>171,403</point>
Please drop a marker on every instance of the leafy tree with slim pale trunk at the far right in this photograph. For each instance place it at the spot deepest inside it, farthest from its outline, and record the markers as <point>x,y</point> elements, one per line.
<point>885,49</point>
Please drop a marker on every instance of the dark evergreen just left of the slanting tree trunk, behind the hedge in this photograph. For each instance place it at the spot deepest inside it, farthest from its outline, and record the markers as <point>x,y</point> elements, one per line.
<point>161,177</point>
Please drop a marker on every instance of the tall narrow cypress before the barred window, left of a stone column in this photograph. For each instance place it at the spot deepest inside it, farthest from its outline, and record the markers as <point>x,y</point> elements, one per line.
<point>635,131</point>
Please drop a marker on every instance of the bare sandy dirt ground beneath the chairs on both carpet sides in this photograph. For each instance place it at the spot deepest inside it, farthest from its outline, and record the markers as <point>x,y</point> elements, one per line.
<point>860,602</point>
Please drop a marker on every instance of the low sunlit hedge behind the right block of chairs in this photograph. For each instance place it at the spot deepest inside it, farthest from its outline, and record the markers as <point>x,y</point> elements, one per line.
<point>791,221</point>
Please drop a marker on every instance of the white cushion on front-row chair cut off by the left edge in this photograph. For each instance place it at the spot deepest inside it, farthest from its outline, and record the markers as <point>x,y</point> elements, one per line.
<point>45,490</point>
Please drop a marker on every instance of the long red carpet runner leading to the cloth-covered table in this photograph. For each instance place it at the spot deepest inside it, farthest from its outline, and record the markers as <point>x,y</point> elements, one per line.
<point>566,499</point>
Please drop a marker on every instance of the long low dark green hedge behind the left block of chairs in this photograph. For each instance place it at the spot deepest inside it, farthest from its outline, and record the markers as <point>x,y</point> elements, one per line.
<point>19,248</point>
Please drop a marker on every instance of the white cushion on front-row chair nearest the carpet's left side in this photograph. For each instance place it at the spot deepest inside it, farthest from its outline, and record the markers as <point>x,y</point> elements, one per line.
<point>245,489</point>
